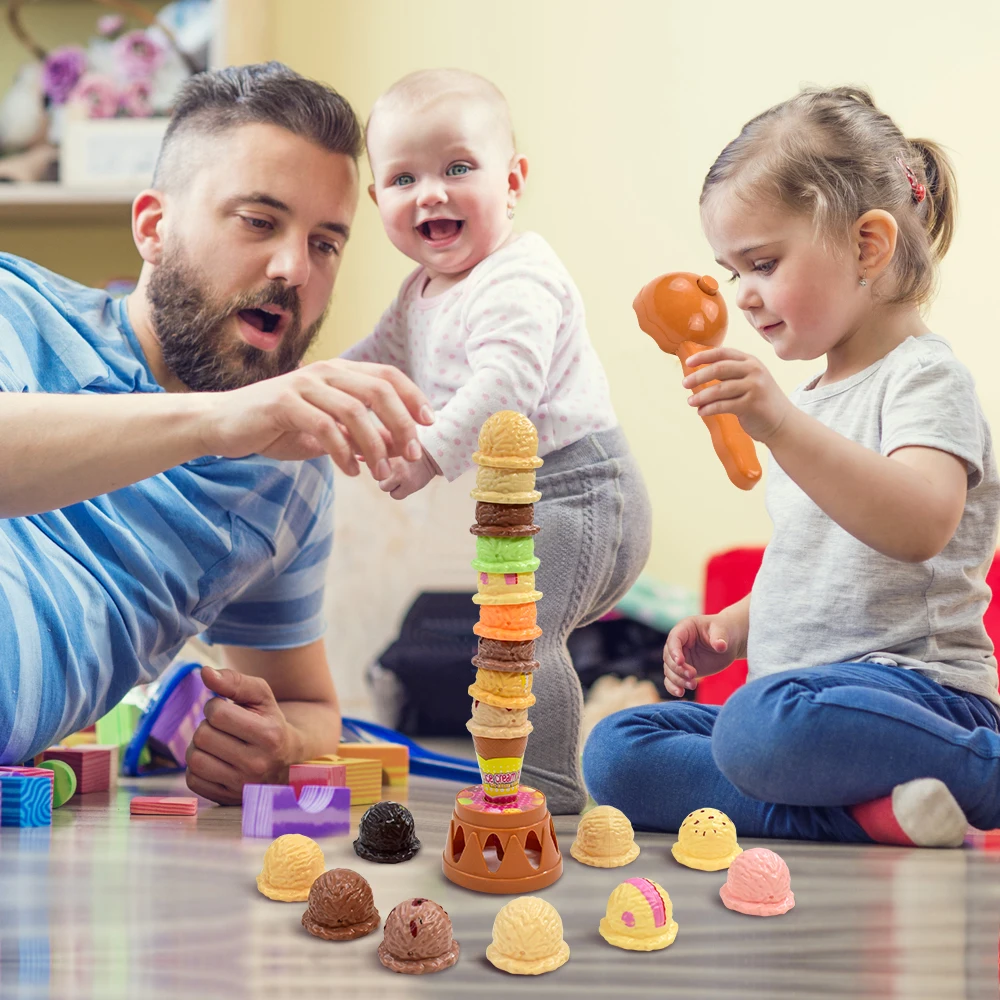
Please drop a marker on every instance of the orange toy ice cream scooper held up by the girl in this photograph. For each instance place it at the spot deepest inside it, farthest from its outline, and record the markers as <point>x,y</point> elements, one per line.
<point>685,314</point>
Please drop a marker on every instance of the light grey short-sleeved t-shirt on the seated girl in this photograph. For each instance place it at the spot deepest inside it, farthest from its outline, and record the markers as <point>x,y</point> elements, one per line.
<point>823,597</point>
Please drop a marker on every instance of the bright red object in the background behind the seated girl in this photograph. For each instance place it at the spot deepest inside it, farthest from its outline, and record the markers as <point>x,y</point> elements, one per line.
<point>729,577</point>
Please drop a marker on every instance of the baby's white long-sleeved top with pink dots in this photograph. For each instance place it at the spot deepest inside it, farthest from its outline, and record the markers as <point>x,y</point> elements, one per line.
<point>510,336</point>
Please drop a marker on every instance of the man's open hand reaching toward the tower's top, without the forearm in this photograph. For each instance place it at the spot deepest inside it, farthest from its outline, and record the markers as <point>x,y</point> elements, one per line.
<point>321,408</point>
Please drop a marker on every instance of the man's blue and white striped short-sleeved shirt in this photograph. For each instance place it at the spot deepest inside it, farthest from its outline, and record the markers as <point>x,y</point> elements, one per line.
<point>101,595</point>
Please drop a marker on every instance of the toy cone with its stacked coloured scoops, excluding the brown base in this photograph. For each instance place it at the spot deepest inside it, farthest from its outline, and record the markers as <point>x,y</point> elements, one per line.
<point>505,495</point>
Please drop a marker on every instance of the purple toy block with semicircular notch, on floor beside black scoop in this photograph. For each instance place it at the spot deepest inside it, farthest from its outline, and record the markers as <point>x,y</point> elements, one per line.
<point>272,811</point>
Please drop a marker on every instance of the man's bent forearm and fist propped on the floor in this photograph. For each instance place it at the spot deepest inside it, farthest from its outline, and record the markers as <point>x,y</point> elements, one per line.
<point>275,708</point>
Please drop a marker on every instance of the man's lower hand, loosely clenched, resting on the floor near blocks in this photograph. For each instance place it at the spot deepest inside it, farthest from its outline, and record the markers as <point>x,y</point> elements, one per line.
<point>245,739</point>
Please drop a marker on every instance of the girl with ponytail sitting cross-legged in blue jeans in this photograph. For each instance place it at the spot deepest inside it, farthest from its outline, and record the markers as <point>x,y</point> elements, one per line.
<point>871,710</point>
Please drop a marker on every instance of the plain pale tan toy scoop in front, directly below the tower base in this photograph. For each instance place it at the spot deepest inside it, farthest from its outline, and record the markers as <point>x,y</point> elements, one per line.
<point>527,938</point>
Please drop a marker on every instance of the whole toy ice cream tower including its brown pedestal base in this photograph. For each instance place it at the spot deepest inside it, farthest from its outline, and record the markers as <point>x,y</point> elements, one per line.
<point>501,837</point>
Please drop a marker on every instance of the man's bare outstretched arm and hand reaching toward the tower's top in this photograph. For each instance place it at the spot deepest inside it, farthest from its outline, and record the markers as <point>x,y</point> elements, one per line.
<point>56,450</point>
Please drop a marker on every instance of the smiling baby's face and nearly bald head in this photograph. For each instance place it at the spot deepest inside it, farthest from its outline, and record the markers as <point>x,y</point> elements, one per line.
<point>443,182</point>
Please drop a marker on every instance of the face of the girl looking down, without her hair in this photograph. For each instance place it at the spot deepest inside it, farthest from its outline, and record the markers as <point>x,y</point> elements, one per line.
<point>800,292</point>
